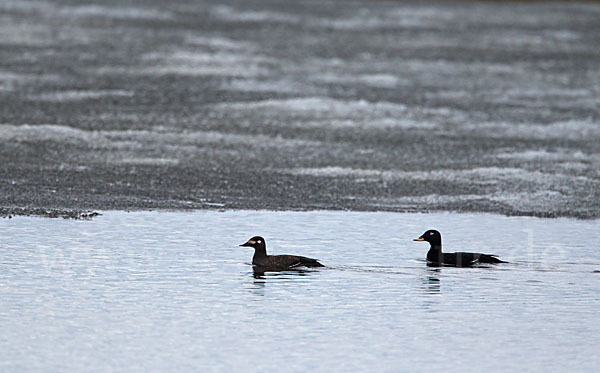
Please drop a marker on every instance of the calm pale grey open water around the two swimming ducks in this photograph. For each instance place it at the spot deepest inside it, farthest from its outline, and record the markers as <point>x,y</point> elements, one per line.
<point>152,291</point>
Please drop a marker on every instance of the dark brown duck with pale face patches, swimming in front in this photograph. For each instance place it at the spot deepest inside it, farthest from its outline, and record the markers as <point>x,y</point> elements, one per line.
<point>276,262</point>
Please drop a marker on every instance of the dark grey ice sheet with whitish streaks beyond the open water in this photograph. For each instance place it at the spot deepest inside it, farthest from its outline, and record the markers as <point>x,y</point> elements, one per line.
<point>483,106</point>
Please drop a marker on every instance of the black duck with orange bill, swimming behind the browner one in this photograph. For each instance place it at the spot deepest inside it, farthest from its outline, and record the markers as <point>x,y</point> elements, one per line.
<point>436,257</point>
